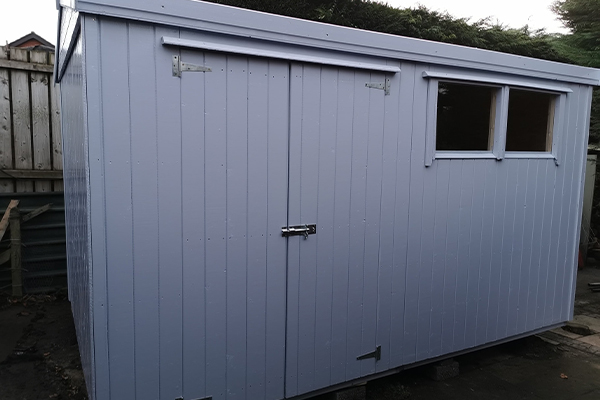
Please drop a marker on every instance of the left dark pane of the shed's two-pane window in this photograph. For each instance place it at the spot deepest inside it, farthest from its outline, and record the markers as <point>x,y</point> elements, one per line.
<point>464,117</point>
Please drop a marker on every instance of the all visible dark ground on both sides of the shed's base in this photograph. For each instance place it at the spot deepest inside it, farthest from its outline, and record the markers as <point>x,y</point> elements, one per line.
<point>39,359</point>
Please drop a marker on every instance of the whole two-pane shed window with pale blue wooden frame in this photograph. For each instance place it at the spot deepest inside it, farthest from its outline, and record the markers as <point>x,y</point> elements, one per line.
<point>481,117</point>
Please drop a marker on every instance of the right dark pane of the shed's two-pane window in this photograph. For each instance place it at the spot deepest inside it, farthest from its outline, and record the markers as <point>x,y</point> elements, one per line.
<point>530,121</point>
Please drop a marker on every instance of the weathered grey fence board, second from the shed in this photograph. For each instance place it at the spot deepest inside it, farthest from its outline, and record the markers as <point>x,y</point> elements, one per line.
<point>40,115</point>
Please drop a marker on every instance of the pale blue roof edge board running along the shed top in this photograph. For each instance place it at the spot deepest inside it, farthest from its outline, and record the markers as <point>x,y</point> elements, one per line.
<point>229,20</point>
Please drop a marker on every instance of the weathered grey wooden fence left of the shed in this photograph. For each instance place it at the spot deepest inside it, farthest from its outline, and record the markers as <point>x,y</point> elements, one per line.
<point>30,138</point>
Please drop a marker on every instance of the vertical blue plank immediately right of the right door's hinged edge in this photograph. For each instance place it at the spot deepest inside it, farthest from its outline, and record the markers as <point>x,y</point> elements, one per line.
<point>386,240</point>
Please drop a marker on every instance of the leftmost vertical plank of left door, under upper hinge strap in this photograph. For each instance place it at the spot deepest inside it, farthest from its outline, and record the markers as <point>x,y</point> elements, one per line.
<point>193,209</point>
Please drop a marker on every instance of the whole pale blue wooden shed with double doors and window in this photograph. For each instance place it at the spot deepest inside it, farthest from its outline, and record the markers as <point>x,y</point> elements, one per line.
<point>260,207</point>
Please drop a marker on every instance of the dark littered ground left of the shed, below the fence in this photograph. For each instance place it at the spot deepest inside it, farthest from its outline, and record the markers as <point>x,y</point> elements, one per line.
<point>39,358</point>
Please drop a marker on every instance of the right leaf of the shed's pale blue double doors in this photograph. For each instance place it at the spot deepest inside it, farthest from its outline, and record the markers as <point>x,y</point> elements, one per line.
<point>335,182</point>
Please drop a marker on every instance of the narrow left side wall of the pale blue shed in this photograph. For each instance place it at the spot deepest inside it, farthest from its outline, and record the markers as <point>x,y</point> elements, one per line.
<point>77,210</point>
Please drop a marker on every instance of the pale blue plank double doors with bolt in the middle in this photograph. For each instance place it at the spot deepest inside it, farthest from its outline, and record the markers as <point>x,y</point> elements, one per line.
<point>288,145</point>
